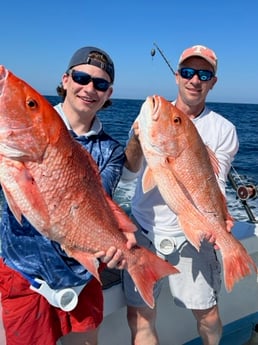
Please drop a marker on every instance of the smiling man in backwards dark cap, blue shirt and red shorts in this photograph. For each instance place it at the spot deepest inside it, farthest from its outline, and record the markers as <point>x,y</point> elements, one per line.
<point>30,317</point>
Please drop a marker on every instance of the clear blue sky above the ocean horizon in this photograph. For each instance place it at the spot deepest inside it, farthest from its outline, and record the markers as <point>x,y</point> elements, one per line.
<point>39,37</point>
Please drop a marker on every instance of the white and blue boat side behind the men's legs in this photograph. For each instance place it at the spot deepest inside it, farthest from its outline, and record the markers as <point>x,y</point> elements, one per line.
<point>177,326</point>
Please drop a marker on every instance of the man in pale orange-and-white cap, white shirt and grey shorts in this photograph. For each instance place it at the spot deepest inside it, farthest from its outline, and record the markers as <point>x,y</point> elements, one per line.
<point>198,284</point>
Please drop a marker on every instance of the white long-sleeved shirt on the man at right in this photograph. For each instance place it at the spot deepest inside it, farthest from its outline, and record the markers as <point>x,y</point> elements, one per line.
<point>150,210</point>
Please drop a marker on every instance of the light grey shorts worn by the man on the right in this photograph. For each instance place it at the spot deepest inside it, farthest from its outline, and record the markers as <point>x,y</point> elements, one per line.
<point>195,287</point>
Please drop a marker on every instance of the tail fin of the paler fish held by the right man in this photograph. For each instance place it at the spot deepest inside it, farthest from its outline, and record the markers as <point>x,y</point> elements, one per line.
<point>237,265</point>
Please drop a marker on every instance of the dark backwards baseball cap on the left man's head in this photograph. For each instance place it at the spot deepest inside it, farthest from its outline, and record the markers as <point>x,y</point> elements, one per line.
<point>82,56</point>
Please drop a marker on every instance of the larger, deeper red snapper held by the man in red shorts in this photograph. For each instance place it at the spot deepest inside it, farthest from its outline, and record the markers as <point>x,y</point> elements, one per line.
<point>50,179</point>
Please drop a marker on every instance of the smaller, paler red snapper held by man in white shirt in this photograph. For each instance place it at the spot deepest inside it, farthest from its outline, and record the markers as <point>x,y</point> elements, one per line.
<point>183,169</point>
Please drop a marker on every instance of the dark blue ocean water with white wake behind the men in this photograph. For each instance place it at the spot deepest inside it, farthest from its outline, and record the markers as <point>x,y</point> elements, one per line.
<point>118,119</point>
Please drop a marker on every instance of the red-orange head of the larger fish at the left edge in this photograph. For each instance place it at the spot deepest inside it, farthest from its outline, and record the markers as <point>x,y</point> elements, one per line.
<point>28,123</point>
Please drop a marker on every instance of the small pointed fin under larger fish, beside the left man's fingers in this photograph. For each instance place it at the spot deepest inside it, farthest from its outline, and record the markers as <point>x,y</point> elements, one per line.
<point>89,261</point>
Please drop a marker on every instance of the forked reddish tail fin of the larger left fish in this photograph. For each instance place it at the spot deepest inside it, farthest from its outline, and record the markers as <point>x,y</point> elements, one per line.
<point>149,269</point>
